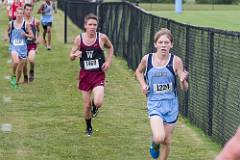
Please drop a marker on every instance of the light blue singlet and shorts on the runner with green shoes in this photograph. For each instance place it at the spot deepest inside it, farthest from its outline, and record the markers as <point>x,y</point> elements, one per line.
<point>18,40</point>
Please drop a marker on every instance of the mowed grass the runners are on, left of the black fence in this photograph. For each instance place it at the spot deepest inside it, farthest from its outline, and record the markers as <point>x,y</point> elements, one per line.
<point>47,121</point>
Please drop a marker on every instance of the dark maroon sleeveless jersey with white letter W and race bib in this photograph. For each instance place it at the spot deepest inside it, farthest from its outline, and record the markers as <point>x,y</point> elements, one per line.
<point>92,56</point>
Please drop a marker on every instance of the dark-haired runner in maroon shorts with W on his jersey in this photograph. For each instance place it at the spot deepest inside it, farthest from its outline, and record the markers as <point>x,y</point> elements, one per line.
<point>88,46</point>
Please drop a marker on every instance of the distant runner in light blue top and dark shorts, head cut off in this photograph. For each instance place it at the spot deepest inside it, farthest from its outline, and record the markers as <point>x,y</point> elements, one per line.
<point>46,9</point>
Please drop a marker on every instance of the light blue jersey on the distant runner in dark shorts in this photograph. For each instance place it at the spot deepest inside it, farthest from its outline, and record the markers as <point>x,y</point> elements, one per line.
<point>47,15</point>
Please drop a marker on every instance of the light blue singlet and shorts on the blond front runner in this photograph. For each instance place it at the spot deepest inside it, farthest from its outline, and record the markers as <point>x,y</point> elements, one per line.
<point>162,94</point>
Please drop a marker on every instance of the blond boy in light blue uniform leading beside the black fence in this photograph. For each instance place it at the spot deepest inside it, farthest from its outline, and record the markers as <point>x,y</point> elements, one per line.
<point>157,74</point>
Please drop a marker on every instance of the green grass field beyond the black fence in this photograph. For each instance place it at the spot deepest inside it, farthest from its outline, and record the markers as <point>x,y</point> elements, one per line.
<point>223,17</point>
